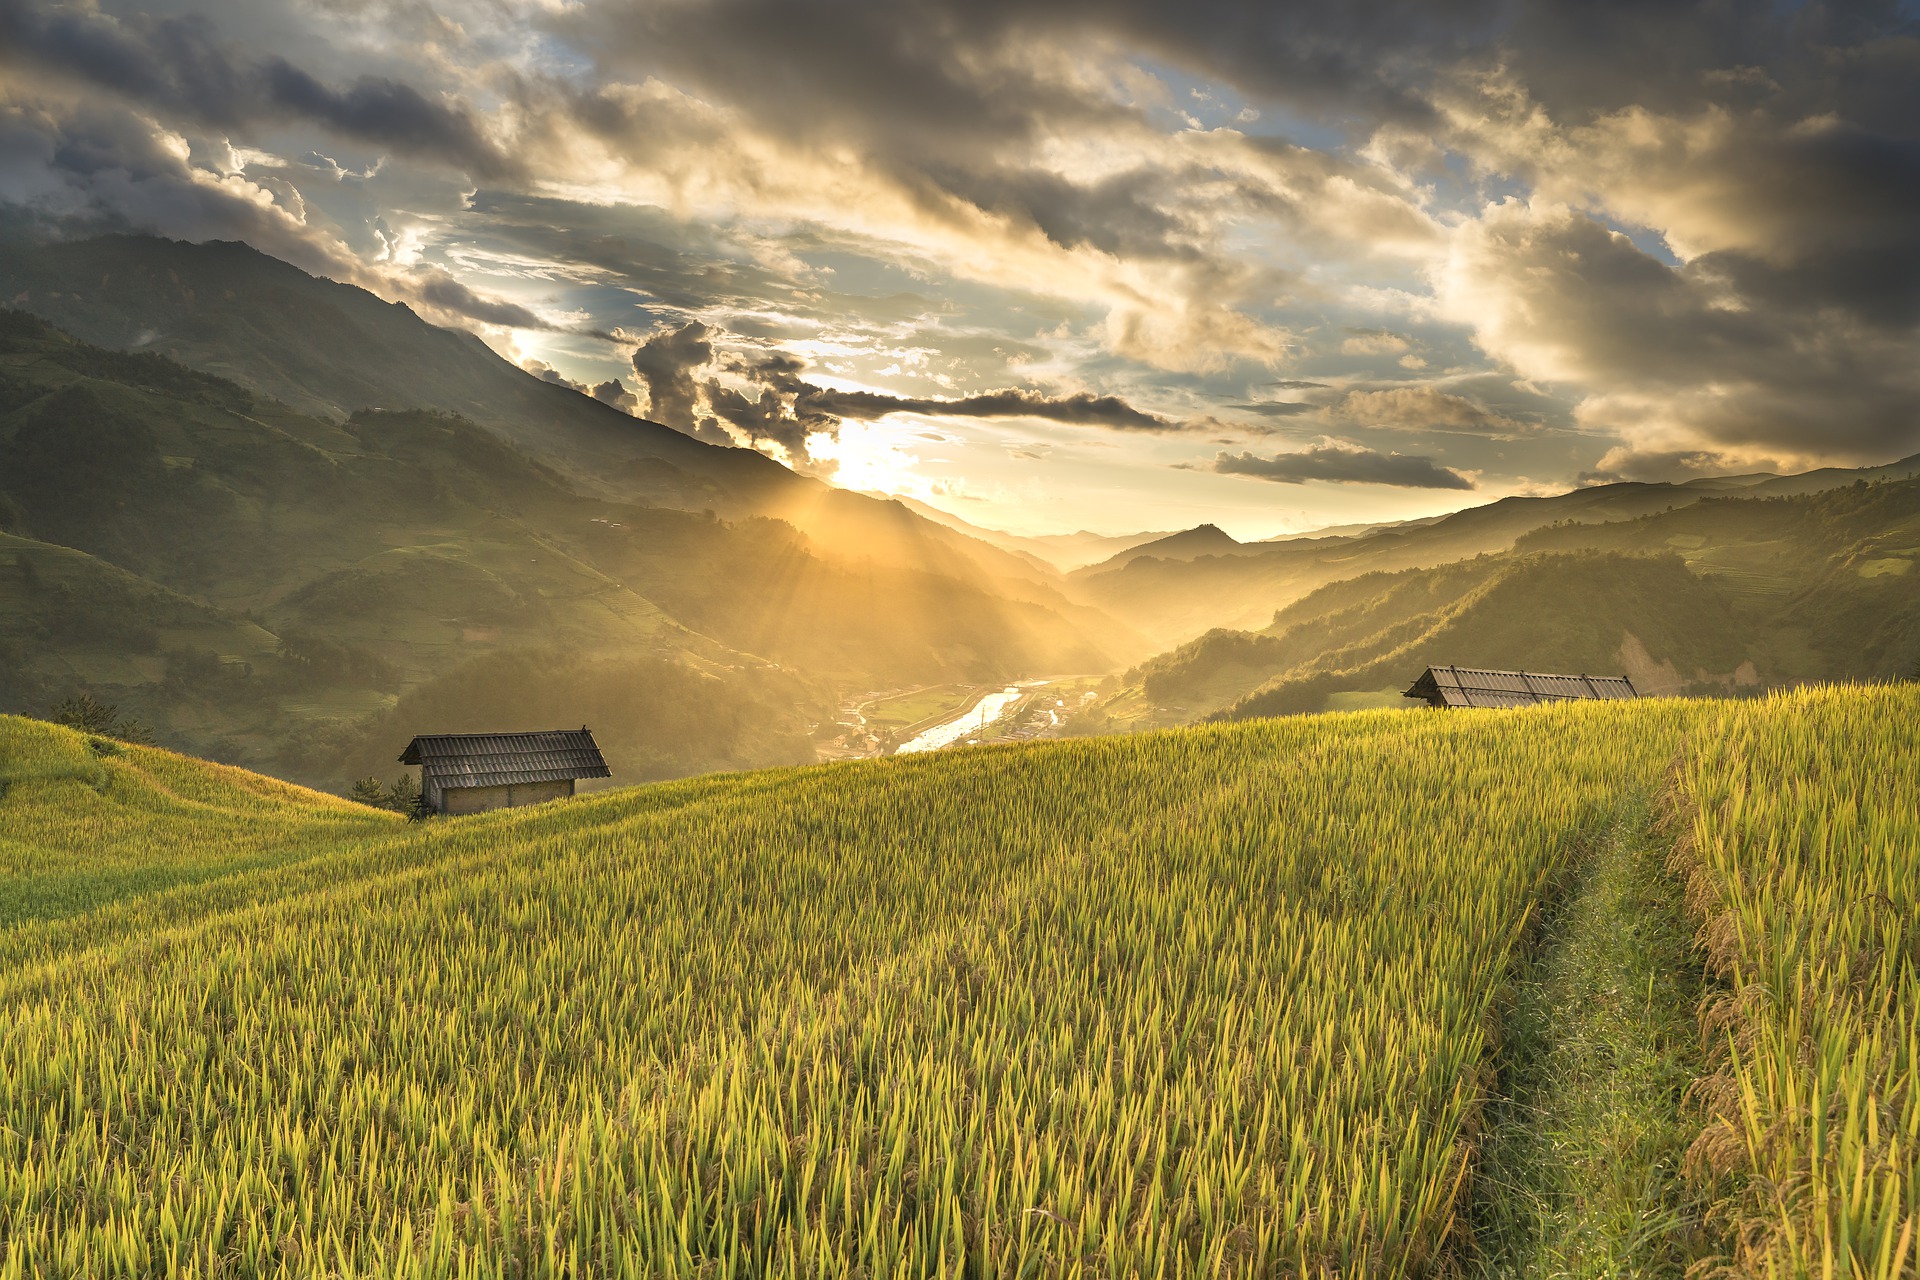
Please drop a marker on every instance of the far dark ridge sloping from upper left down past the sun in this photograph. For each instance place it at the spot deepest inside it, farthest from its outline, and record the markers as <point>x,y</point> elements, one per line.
<point>331,350</point>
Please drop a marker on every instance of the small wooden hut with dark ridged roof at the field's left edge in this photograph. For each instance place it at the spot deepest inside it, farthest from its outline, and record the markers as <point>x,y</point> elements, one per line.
<point>475,772</point>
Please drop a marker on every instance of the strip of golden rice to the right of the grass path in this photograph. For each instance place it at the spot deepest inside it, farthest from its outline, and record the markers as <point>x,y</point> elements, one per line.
<point>1804,859</point>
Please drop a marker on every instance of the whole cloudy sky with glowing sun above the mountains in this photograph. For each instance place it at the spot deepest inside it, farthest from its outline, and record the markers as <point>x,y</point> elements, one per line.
<point>1063,266</point>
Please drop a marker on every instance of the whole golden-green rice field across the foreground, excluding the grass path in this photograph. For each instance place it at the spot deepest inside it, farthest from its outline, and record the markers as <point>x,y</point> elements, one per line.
<point>1184,1005</point>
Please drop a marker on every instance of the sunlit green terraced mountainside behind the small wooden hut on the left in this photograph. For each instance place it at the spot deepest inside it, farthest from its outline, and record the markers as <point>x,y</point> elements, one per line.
<point>268,586</point>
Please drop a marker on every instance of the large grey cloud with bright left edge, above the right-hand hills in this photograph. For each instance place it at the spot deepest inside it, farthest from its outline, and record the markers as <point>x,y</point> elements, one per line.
<point>1679,358</point>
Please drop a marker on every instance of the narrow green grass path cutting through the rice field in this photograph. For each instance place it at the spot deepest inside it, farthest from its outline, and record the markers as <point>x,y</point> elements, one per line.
<point>1581,1160</point>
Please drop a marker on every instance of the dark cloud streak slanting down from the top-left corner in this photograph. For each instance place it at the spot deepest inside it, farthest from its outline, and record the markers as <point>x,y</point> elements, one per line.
<point>180,66</point>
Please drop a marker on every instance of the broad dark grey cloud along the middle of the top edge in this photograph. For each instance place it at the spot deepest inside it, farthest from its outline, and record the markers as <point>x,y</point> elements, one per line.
<point>971,76</point>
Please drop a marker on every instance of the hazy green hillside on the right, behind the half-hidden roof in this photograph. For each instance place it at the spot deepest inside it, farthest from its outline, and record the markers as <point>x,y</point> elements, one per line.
<point>1729,594</point>
